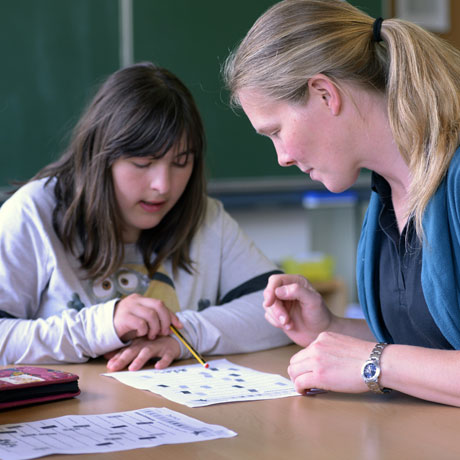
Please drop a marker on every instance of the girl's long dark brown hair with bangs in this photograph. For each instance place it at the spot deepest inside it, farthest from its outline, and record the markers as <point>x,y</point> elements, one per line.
<point>141,110</point>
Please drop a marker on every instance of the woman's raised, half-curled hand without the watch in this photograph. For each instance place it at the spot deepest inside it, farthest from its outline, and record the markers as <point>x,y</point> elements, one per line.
<point>292,304</point>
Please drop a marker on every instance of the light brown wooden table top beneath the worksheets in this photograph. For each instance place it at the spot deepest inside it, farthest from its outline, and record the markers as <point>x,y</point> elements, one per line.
<point>327,426</point>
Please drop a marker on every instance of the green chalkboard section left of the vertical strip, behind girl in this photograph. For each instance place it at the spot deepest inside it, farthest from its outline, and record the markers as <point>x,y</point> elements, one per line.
<point>53,53</point>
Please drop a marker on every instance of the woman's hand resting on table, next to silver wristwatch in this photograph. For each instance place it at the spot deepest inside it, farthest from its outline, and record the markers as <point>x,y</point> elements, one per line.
<point>332,362</point>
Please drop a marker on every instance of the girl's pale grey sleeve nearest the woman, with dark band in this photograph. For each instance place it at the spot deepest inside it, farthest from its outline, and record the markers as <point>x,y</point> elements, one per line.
<point>231,274</point>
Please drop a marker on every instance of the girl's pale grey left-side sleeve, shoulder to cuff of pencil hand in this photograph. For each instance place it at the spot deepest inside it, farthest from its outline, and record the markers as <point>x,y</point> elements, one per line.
<point>35,326</point>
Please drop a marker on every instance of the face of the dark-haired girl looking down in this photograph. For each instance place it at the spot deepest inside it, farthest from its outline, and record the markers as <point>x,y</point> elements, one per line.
<point>146,189</point>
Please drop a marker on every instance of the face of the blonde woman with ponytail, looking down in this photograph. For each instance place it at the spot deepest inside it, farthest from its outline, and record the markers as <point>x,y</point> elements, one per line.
<point>306,135</point>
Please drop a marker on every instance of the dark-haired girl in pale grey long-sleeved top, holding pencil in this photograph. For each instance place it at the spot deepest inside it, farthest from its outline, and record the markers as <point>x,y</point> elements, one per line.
<point>117,240</point>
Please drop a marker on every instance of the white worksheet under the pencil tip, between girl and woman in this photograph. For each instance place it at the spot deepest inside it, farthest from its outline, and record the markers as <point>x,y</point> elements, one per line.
<point>195,386</point>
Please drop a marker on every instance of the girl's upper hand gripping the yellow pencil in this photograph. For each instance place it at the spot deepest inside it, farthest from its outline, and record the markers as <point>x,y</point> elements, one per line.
<point>139,316</point>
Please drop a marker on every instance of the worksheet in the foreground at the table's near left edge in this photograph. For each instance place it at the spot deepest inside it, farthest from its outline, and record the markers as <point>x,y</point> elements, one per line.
<point>87,434</point>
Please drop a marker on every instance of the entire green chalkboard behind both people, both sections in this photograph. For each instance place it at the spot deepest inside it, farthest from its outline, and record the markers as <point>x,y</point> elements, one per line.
<point>56,52</point>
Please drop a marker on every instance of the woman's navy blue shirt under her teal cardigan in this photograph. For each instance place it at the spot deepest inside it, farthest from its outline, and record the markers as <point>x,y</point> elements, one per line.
<point>402,303</point>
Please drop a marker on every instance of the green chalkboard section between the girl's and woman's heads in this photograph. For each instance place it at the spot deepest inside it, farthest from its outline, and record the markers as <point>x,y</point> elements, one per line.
<point>193,39</point>
